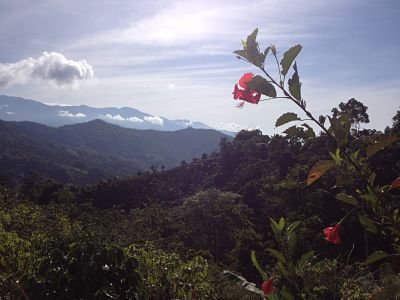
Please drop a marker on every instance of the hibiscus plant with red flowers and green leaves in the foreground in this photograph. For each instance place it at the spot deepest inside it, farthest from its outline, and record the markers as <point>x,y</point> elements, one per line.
<point>378,212</point>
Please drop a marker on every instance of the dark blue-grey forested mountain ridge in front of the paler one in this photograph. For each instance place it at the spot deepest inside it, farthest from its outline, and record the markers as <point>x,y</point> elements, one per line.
<point>88,152</point>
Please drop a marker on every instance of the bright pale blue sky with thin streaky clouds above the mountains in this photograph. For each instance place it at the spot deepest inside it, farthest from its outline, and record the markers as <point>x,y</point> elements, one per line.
<point>174,58</point>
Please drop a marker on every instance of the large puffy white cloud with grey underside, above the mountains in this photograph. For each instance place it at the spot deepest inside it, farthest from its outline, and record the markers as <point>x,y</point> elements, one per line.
<point>50,66</point>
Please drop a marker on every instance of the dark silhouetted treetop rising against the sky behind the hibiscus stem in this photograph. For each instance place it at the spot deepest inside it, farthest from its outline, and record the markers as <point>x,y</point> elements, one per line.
<point>355,109</point>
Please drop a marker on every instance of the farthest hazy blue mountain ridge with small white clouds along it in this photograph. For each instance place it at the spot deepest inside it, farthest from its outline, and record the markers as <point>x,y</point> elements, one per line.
<point>20,109</point>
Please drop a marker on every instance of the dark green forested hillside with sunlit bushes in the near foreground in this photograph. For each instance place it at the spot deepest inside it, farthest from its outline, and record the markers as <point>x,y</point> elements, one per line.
<point>211,213</point>
